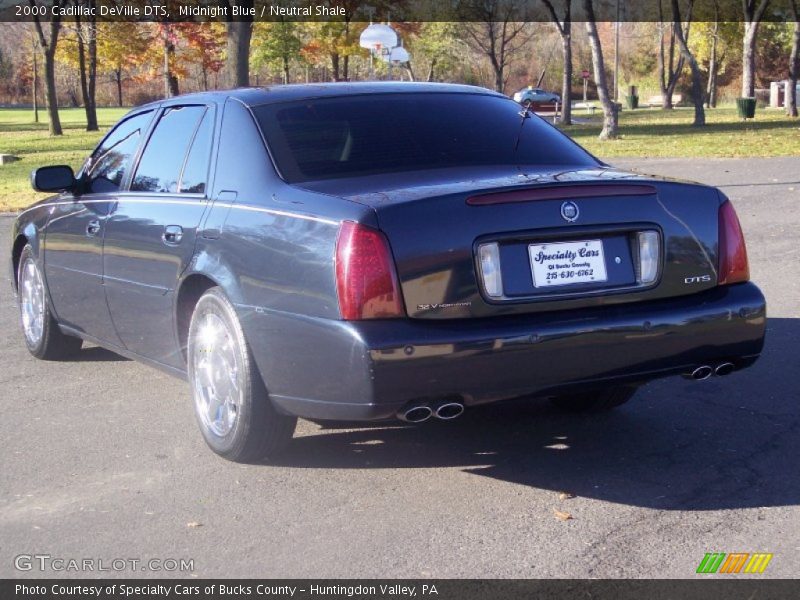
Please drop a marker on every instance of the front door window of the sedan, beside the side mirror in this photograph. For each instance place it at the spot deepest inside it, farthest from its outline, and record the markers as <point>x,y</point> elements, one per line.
<point>106,169</point>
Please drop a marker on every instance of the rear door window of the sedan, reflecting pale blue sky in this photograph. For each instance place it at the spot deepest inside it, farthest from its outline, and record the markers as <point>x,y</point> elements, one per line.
<point>162,160</point>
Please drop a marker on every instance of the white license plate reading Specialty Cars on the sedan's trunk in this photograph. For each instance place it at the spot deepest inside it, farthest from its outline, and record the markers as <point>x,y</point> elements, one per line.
<point>567,263</point>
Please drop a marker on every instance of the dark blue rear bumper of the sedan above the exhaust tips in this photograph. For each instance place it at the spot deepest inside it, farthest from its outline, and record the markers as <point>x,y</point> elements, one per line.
<point>323,369</point>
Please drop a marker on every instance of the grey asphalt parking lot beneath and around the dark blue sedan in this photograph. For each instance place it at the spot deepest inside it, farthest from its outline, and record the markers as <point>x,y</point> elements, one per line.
<point>102,459</point>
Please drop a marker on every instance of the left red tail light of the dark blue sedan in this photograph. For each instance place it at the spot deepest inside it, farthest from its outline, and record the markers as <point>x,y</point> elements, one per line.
<point>366,280</point>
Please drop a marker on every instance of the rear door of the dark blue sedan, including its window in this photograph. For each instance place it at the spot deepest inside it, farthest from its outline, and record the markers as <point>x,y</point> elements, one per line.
<point>150,235</point>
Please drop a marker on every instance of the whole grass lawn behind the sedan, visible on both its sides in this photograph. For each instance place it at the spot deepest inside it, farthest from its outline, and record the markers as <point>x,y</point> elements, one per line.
<point>644,133</point>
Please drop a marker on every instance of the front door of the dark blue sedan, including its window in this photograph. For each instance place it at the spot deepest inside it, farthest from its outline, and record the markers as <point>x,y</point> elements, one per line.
<point>73,260</point>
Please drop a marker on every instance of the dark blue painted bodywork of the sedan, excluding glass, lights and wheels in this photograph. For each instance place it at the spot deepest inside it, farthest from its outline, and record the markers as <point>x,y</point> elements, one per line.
<point>270,246</point>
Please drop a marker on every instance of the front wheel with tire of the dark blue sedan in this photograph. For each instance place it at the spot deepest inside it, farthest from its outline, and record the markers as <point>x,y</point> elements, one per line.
<point>43,337</point>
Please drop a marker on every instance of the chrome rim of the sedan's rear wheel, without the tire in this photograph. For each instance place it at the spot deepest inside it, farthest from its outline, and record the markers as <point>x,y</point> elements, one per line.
<point>218,386</point>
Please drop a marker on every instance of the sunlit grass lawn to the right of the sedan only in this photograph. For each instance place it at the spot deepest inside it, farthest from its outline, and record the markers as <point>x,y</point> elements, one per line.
<point>652,132</point>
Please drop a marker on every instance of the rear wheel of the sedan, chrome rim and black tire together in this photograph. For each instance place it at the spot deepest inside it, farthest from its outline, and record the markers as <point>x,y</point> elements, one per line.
<point>236,417</point>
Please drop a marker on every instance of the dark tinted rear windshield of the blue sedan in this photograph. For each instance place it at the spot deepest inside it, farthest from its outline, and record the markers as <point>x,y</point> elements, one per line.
<point>352,136</point>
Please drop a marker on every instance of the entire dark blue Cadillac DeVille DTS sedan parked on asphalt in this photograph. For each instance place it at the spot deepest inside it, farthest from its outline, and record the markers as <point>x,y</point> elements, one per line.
<point>377,250</point>
